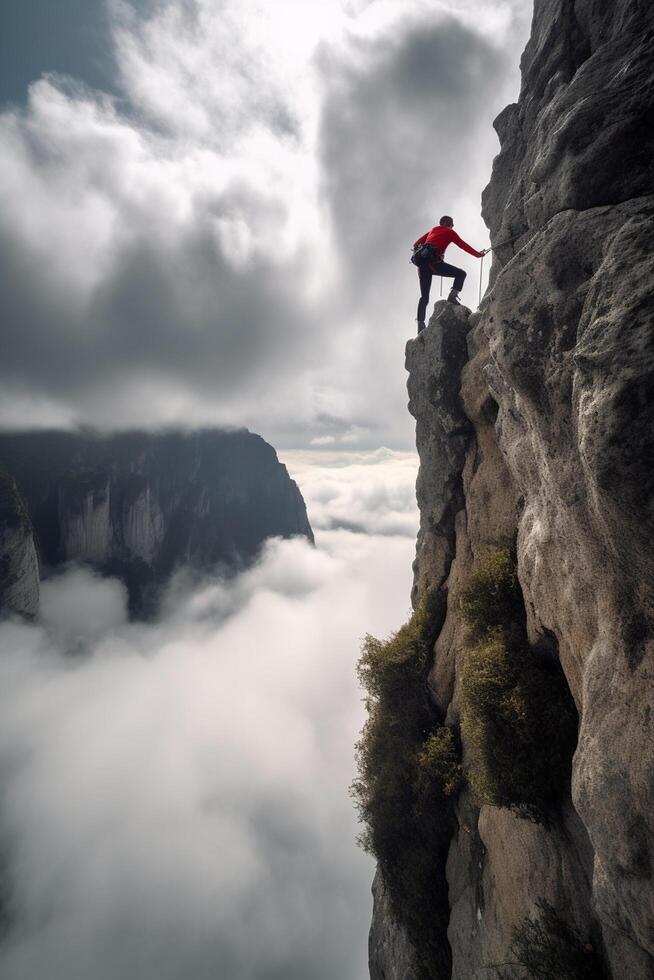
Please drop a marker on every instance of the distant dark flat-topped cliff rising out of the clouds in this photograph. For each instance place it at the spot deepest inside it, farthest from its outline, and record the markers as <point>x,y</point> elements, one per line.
<point>139,505</point>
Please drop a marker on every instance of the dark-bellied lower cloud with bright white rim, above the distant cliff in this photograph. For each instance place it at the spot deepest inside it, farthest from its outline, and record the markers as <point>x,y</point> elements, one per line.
<point>115,273</point>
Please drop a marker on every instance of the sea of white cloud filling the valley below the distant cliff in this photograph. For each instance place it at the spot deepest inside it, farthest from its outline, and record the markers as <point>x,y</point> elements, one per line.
<point>175,800</point>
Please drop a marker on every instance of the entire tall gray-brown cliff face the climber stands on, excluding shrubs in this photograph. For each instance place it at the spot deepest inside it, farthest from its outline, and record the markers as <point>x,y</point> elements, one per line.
<point>541,436</point>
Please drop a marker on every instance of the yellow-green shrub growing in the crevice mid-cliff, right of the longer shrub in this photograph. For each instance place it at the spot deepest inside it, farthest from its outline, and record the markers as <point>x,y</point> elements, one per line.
<point>517,713</point>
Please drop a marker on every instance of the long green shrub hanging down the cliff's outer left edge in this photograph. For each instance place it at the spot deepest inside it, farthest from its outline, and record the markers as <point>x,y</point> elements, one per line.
<point>408,771</point>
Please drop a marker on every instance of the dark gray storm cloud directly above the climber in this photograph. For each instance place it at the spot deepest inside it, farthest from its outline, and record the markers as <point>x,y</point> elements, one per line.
<point>400,136</point>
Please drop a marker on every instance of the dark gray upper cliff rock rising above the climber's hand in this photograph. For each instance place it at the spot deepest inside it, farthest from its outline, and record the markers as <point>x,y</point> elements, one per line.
<point>581,135</point>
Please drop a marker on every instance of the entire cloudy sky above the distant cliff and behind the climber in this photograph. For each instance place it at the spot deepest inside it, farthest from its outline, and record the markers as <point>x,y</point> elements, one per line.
<point>206,208</point>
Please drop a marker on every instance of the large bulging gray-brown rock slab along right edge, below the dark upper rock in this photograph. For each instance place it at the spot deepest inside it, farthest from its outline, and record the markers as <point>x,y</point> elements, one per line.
<point>570,332</point>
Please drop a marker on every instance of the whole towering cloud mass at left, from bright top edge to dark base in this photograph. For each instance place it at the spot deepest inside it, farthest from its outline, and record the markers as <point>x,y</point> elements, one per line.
<point>153,255</point>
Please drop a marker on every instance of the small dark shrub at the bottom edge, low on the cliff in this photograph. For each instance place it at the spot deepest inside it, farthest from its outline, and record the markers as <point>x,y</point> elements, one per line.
<point>547,948</point>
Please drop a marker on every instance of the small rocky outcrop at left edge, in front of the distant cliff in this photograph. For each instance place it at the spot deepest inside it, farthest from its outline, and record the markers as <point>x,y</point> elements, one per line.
<point>19,568</point>
